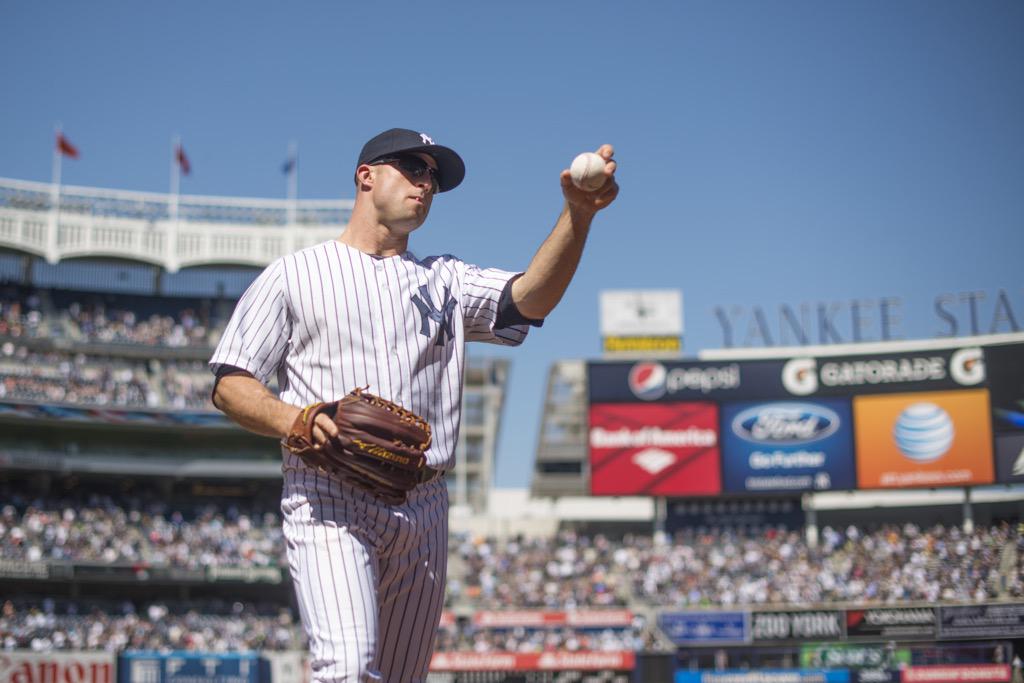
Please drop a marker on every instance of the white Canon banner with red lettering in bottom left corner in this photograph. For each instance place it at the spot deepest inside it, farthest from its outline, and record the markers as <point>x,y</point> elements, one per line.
<point>28,667</point>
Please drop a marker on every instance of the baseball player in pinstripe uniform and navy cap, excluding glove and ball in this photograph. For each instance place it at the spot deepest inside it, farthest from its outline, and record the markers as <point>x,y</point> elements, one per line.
<point>364,312</point>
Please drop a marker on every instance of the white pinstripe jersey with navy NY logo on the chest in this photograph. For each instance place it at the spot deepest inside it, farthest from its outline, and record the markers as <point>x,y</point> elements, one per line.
<point>330,318</point>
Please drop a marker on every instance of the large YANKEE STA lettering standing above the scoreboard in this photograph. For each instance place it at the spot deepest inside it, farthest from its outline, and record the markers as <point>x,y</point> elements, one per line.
<point>859,321</point>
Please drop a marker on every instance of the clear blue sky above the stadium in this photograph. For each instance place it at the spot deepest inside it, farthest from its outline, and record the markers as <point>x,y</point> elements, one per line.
<point>770,152</point>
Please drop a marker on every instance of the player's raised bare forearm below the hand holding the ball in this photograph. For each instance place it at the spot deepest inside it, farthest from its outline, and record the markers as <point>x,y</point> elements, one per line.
<point>543,285</point>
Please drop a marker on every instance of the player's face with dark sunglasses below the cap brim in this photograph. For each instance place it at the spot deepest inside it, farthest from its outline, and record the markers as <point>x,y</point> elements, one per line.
<point>404,190</point>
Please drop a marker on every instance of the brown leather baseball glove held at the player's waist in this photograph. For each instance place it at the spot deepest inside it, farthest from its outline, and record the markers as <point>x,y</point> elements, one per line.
<point>379,448</point>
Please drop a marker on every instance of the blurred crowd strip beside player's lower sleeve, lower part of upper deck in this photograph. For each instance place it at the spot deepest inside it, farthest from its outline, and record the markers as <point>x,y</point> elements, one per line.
<point>65,378</point>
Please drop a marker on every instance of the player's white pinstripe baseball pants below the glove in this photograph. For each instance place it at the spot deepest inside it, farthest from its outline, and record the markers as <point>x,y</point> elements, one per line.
<point>369,577</point>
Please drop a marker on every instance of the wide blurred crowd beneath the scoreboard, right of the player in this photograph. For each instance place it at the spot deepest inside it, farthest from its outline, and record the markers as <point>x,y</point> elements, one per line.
<point>892,565</point>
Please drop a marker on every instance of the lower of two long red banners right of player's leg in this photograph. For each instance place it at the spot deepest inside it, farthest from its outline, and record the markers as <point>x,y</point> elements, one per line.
<point>505,662</point>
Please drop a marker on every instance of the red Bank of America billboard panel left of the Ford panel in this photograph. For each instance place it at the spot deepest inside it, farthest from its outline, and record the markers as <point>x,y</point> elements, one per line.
<point>655,450</point>
